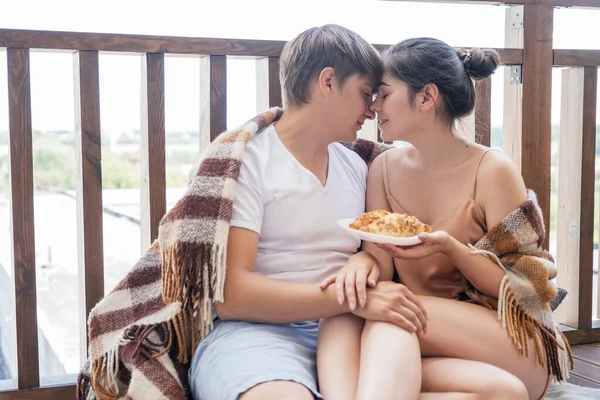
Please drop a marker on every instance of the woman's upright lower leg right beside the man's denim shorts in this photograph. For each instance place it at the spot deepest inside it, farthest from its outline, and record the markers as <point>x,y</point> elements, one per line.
<point>338,353</point>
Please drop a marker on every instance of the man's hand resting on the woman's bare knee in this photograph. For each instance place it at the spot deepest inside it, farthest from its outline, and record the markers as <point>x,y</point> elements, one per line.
<point>395,303</point>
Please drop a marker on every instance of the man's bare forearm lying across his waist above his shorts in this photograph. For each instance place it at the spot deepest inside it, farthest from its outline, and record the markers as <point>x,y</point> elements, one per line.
<point>256,298</point>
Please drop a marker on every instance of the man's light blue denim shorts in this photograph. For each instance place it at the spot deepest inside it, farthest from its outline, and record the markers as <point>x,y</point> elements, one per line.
<point>237,356</point>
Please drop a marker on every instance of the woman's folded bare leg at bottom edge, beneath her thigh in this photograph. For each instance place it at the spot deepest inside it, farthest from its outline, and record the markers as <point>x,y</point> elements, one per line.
<point>452,378</point>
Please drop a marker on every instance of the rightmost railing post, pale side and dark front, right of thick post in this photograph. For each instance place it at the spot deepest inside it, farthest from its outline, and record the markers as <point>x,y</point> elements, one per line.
<point>576,196</point>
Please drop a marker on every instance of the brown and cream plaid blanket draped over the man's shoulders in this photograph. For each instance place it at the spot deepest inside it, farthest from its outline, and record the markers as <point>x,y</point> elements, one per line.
<point>141,335</point>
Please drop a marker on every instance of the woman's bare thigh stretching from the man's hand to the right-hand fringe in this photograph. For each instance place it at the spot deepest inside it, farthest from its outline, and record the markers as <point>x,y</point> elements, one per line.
<point>470,332</point>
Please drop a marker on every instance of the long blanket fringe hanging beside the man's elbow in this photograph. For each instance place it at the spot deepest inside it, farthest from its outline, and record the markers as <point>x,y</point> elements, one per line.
<point>194,274</point>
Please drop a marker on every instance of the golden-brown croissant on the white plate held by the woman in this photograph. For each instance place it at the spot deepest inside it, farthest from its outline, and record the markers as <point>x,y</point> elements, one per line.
<point>383,222</point>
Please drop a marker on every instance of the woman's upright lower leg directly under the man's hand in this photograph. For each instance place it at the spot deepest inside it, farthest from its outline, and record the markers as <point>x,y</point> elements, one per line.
<point>390,363</point>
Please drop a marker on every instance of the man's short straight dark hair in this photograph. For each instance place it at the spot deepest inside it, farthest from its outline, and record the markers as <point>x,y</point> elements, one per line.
<point>304,57</point>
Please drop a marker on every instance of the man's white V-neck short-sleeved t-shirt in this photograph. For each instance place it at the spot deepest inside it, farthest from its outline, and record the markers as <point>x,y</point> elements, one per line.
<point>293,213</point>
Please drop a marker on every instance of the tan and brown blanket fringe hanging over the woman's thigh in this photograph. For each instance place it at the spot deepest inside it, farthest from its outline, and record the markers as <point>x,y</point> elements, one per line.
<point>552,348</point>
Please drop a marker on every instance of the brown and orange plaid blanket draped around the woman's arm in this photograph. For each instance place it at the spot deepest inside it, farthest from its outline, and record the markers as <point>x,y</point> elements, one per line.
<point>526,291</point>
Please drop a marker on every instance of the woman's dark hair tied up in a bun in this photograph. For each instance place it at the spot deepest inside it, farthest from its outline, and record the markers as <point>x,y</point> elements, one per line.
<point>421,61</point>
